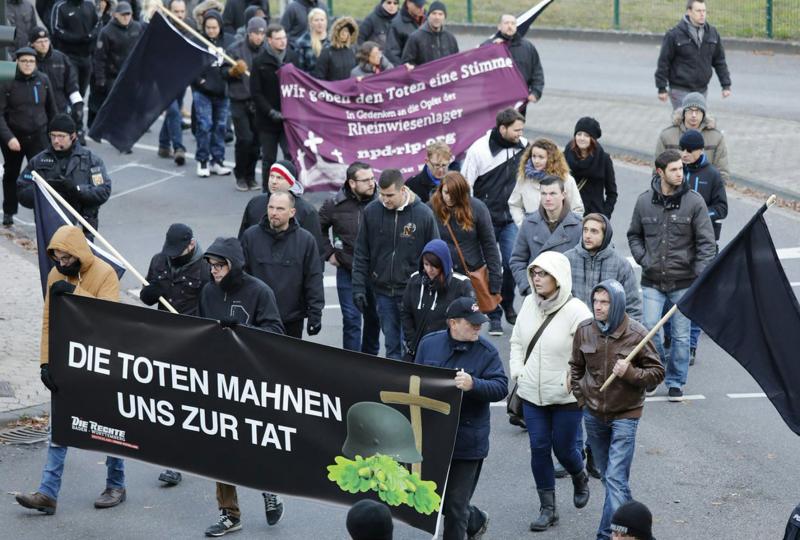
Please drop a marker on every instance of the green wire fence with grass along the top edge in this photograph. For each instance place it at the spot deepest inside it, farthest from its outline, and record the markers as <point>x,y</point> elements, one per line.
<point>778,19</point>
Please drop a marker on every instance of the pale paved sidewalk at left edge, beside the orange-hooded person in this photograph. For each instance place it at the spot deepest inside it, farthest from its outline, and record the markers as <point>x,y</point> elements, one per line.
<point>20,331</point>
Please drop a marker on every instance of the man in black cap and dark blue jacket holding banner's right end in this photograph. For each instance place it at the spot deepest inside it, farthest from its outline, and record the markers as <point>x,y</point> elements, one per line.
<point>483,380</point>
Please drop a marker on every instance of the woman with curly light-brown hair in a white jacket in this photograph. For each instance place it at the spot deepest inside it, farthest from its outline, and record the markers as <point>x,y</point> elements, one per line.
<point>541,158</point>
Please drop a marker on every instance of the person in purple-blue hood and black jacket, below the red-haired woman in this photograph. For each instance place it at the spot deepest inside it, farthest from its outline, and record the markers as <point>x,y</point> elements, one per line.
<point>428,293</point>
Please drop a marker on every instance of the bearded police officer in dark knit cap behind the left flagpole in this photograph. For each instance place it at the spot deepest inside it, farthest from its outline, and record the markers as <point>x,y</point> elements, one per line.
<point>75,172</point>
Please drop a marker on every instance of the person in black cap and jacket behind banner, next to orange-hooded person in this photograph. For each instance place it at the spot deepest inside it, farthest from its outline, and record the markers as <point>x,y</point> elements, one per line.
<point>177,273</point>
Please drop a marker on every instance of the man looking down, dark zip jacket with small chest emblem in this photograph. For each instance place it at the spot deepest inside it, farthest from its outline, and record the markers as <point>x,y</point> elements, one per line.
<point>391,236</point>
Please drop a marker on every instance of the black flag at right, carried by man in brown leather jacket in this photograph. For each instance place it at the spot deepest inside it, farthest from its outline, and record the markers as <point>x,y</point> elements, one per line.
<point>745,303</point>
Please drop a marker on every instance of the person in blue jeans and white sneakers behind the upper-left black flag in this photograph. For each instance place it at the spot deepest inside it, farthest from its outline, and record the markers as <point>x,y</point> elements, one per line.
<point>210,103</point>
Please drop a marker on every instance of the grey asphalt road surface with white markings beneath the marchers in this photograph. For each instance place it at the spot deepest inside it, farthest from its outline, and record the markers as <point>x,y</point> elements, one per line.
<point>714,466</point>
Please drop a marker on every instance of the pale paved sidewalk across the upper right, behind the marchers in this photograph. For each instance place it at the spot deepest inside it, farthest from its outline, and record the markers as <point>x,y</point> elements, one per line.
<point>760,149</point>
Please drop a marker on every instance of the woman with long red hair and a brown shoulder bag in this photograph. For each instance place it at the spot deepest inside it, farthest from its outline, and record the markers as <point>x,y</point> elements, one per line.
<point>471,223</point>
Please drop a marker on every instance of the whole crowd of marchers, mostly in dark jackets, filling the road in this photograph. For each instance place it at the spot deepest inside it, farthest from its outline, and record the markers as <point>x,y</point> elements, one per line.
<point>426,260</point>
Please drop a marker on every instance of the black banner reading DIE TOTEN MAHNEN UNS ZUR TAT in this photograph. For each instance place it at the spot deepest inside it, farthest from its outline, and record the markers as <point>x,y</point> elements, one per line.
<point>252,408</point>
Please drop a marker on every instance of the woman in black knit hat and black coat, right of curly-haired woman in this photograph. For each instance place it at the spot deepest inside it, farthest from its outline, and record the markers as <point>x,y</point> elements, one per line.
<point>592,168</point>
